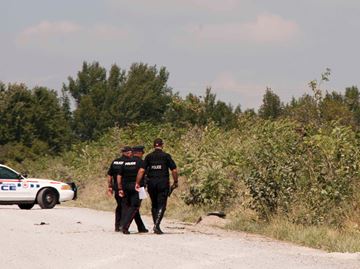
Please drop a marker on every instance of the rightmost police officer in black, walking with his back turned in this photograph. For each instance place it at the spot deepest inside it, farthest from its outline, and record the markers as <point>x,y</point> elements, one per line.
<point>156,166</point>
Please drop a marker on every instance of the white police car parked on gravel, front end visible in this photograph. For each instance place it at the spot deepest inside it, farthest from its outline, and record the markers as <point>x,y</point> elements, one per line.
<point>26,192</point>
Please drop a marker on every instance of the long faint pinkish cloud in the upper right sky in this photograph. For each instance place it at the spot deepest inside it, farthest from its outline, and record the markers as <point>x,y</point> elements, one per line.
<point>267,28</point>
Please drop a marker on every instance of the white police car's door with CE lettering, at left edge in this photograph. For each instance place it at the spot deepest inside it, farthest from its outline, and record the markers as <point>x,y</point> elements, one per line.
<point>10,185</point>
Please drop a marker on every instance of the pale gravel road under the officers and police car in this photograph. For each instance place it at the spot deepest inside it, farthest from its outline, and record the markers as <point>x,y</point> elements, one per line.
<point>84,238</point>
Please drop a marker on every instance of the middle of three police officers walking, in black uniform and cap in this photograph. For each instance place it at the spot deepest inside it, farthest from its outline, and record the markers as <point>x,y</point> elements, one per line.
<point>126,180</point>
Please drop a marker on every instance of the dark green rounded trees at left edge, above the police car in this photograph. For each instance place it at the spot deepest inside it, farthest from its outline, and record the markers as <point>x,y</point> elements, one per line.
<point>32,119</point>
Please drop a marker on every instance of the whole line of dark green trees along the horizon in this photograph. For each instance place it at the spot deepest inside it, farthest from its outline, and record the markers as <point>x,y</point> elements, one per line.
<point>38,121</point>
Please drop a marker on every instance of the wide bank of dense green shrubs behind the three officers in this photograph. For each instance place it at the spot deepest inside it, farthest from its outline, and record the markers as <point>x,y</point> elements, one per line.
<point>273,168</point>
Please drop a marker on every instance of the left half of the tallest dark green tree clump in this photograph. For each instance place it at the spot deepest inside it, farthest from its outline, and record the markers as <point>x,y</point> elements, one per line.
<point>94,96</point>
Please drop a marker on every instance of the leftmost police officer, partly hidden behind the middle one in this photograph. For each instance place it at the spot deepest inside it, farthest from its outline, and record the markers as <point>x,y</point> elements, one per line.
<point>112,184</point>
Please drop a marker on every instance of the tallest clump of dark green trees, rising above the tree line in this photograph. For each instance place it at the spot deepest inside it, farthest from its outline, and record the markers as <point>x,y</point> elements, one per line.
<point>121,98</point>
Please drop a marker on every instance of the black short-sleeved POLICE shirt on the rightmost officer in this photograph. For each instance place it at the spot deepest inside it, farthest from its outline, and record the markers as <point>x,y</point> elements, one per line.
<point>158,163</point>
